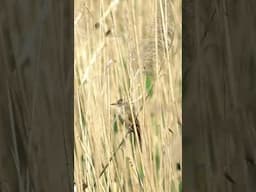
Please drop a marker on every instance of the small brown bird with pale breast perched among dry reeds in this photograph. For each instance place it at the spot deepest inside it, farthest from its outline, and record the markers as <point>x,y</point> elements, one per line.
<point>126,114</point>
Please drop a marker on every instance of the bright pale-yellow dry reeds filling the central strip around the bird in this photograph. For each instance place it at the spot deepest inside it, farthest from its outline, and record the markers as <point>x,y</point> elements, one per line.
<point>130,50</point>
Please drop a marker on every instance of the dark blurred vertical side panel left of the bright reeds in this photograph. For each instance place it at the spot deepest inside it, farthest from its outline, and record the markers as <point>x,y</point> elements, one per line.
<point>36,95</point>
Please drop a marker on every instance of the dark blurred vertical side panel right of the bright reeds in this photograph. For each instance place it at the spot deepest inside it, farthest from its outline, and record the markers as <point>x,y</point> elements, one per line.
<point>219,130</point>
